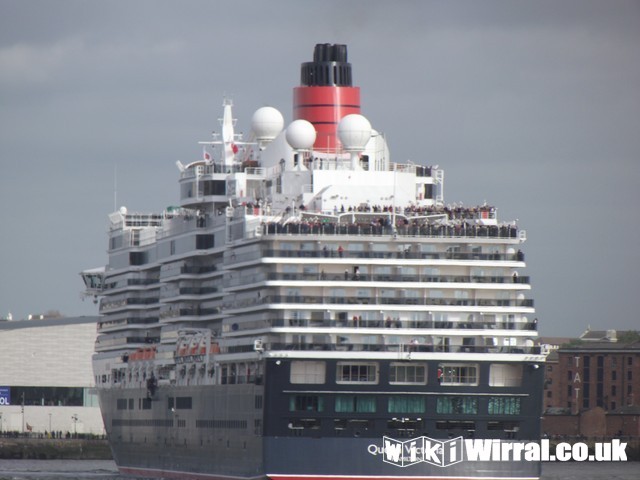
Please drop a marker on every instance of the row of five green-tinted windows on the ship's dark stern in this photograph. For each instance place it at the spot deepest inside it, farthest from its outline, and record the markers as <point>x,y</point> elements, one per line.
<point>406,404</point>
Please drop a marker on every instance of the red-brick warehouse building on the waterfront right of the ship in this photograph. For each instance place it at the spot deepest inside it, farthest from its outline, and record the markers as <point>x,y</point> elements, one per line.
<point>592,386</point>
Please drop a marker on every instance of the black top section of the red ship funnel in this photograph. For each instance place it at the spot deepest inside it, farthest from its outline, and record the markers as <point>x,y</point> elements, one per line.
<point>328,69</point>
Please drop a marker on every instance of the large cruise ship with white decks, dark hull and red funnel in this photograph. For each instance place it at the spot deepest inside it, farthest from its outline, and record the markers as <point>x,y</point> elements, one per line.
<point>310,309</point>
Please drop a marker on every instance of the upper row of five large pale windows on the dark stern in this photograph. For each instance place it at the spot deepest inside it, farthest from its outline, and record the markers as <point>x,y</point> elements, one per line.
<point>416,373</point>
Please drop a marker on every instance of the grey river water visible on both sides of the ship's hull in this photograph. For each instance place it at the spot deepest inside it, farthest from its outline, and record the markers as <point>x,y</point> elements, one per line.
<point>106,470</point>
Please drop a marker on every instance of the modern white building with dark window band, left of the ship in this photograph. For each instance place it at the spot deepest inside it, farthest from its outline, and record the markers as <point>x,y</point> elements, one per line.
<point>46,378</point>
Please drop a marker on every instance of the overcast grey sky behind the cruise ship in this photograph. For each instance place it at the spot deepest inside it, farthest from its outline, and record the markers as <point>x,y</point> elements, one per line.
<point>533,107</point>
